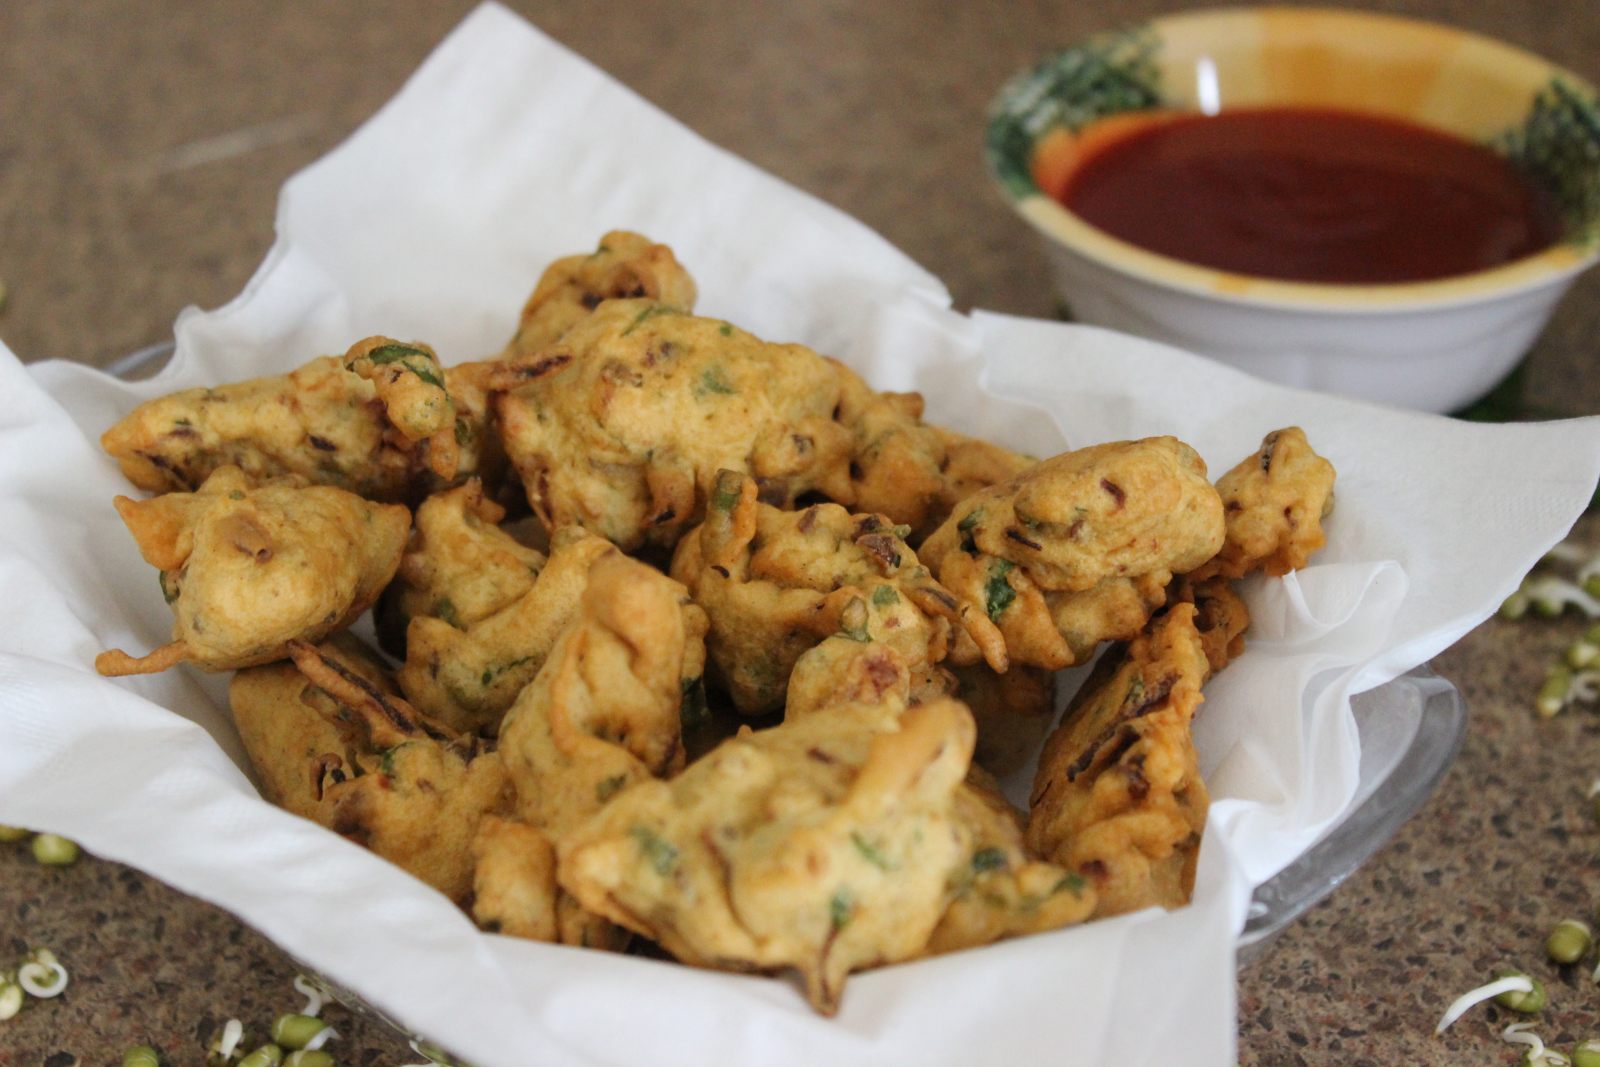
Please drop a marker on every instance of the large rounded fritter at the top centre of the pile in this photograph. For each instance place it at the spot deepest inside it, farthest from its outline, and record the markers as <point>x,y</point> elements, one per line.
<point>626,436</point>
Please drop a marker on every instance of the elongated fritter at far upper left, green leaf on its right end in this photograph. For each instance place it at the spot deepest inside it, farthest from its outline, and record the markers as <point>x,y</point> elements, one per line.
<point>378,422</point>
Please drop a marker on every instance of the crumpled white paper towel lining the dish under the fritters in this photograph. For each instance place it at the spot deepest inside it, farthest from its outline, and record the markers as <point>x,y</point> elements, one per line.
<point>433,222</point>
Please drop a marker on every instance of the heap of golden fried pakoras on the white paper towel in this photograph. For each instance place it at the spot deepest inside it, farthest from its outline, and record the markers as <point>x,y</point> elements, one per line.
<point>698,639</point>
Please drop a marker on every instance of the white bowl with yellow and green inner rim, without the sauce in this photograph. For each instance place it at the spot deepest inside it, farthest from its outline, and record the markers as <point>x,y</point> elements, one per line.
<point>1431,345</point>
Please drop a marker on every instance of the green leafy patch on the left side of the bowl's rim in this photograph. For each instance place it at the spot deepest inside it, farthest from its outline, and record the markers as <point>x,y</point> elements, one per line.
<point>1105,76</point>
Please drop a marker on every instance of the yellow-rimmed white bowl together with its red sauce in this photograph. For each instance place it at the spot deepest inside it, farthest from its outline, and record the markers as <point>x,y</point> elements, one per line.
<point>1340,201</point>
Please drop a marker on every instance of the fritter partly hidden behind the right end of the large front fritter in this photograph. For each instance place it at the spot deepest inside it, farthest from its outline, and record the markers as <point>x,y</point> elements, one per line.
<point>1002,892</point>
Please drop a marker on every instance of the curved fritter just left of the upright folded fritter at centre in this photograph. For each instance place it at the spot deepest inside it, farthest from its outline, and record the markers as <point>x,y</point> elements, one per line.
<point>470,671</point>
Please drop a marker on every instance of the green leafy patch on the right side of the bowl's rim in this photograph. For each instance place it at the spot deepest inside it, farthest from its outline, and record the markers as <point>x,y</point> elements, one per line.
<point>1559,146</point>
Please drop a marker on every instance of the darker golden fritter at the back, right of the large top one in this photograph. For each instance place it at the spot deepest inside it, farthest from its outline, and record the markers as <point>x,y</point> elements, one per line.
<point>908,470</point>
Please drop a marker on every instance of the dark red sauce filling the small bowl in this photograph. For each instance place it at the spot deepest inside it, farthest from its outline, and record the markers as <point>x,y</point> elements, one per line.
<point>1313,196</point>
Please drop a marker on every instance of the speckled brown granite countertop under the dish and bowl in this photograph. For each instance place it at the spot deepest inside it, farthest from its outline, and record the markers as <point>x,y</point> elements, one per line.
<point>142,150</point>
